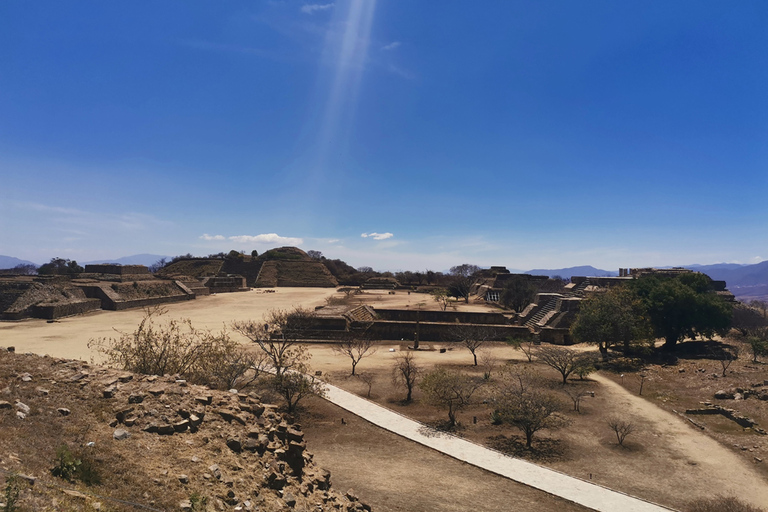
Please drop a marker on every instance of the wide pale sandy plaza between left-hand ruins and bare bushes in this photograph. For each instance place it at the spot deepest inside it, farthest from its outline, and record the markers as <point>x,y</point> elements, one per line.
<point>69,337</point>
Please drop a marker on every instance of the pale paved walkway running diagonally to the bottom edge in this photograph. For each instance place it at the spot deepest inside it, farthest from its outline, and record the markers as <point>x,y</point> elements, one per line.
<point>548,480</point>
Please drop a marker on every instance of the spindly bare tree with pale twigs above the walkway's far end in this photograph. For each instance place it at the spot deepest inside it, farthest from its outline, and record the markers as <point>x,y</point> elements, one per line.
<point>277,336</point>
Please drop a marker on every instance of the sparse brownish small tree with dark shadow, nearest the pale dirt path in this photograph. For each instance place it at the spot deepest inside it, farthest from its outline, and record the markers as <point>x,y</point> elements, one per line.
<point>519,400</point>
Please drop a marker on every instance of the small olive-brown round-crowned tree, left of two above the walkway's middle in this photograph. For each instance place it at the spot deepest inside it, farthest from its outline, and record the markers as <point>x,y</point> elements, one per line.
<point>448,389</point>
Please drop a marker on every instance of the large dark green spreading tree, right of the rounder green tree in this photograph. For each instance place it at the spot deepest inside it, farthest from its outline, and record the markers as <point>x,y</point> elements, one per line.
<point>682,306</point>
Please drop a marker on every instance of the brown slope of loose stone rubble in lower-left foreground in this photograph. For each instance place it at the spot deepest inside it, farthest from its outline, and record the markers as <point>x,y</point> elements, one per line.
<point>273,469</point>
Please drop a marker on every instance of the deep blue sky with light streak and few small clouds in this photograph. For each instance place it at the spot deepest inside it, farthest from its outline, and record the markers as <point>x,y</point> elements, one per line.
<point>388,133</point>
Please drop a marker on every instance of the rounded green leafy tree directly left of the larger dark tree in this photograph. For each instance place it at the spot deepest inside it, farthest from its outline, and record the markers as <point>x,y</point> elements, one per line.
<point>617,316</point>
